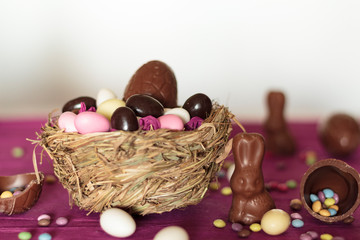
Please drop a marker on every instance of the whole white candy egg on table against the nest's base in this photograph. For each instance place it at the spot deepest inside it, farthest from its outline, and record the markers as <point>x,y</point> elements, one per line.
<point>117,223</point>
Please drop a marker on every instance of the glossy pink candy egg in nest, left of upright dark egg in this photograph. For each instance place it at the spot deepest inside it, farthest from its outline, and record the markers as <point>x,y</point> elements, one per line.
<point>90,122</point>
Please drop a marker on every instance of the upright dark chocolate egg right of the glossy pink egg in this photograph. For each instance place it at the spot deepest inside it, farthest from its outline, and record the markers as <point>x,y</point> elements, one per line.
<point>124,119</point>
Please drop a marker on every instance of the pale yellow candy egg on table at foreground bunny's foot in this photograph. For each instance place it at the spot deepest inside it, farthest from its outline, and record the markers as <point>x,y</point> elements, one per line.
<point>275,222</point>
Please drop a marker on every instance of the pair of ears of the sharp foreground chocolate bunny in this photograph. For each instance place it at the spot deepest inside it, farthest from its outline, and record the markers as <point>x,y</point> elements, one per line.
<point>248,150</point>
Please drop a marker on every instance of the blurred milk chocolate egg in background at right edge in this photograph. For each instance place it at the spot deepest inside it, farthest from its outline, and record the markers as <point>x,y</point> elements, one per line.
<point>340,134</point>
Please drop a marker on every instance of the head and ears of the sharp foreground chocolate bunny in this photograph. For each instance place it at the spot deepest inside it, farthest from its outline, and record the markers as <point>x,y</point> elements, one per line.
<point>248,150</point>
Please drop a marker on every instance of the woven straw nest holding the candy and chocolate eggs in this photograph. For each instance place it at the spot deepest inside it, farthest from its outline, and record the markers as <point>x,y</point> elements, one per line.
<point>143,171</point>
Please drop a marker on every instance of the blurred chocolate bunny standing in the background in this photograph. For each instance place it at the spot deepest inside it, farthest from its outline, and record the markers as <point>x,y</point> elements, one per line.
<point>278,137</point>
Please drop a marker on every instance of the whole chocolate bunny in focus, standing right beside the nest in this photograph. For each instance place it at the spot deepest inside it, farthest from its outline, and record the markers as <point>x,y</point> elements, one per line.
<point>250,199</point>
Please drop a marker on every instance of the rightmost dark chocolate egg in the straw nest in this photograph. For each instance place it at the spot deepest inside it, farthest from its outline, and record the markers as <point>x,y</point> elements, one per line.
<point>198,105</point>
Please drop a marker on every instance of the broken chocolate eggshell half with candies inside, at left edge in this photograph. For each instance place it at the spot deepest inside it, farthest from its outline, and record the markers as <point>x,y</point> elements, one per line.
<point>27,198</point>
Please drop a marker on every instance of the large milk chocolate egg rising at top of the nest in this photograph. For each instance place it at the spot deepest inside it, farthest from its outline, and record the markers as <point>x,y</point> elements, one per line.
<point>155,79</point>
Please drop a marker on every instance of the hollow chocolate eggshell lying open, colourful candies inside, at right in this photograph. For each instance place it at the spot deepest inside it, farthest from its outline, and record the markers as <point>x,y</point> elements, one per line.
<point>338,176</point>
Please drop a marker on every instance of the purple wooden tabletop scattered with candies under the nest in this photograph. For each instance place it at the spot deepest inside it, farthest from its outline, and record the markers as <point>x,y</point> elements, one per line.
<point>197,220</point>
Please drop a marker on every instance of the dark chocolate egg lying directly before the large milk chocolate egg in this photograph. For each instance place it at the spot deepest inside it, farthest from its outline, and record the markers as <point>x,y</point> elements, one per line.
<point>144,105</point>
